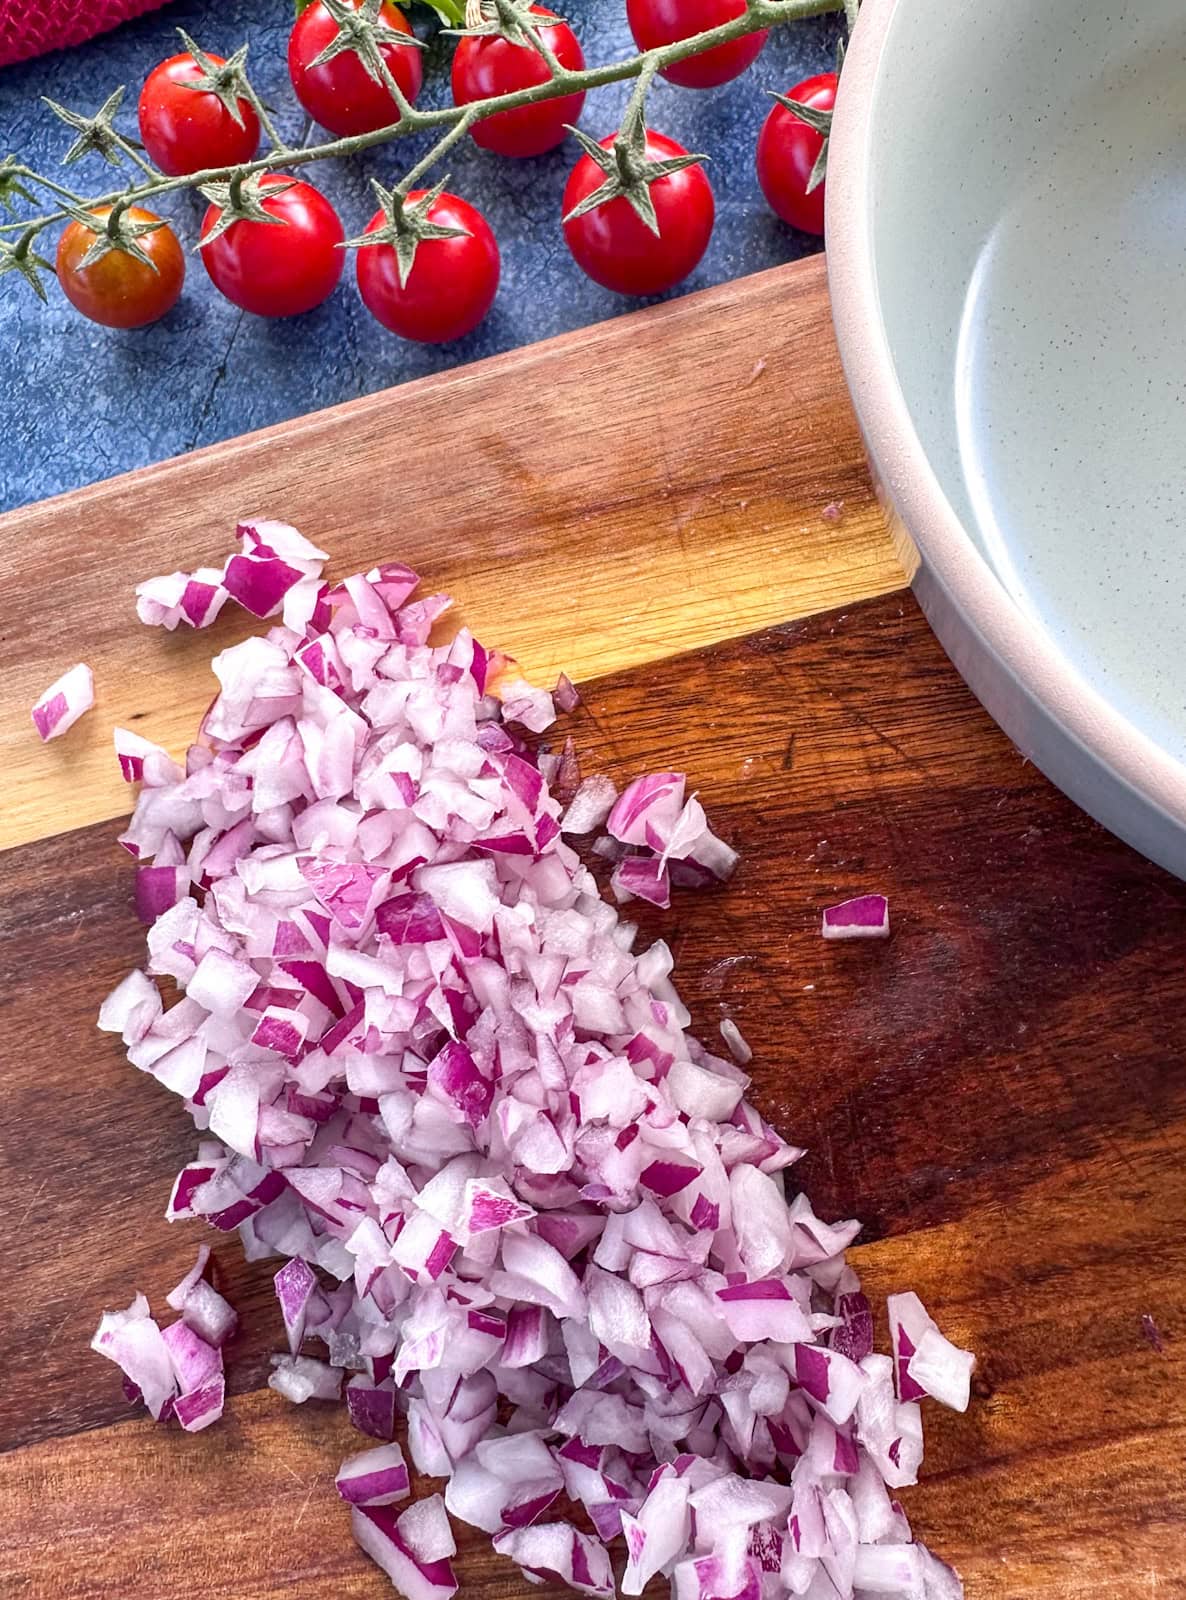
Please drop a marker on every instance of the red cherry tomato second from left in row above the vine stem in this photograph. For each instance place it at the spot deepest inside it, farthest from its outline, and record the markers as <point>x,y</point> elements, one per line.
<point>342,94</point>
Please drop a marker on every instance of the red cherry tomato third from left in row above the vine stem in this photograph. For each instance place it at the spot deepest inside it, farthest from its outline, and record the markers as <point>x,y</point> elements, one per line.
<point>489,65</point>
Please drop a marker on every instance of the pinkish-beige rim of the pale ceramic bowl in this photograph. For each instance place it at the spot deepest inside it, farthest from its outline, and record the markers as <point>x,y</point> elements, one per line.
<point>908,479</point>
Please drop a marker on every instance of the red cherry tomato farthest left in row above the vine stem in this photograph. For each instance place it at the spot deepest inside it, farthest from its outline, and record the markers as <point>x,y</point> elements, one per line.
<point>186,130</point>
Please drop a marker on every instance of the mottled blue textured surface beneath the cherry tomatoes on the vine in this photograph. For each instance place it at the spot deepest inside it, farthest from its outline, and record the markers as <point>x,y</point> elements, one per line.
<point>81,404</point>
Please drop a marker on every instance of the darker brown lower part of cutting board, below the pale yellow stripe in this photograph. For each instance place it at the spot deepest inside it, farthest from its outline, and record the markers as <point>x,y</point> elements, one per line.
<point>996,1092</point>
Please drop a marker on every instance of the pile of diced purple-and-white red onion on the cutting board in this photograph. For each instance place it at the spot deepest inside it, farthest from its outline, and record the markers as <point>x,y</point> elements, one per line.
<point>524,1217</point>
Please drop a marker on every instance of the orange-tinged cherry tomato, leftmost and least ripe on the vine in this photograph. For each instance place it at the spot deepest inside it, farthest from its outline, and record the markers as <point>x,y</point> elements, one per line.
<point>118,290</point>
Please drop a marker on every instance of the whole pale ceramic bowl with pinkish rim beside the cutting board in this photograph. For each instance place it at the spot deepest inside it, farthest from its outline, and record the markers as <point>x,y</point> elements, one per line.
<point>1008,260</point>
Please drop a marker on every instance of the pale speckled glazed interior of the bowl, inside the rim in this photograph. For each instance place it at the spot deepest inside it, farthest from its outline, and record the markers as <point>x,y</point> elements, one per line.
<point>1028,169</point>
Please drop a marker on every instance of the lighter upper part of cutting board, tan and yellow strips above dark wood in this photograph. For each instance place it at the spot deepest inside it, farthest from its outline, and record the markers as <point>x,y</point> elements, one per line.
<point>598,502</point>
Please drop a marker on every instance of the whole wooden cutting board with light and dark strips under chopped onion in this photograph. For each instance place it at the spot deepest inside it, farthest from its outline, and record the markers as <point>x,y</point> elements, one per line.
<point>998,1092</point>
